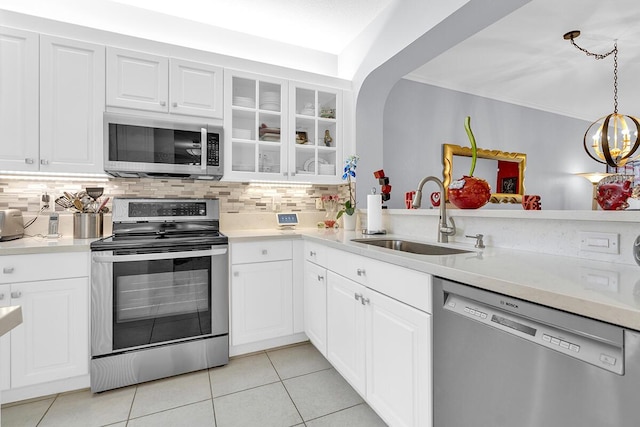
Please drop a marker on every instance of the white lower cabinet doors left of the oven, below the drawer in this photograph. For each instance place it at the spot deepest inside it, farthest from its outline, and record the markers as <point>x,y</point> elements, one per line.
<point>52,343</point>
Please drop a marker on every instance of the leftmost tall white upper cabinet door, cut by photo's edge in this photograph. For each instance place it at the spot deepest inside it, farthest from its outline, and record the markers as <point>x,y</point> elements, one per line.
<point>19,101</point>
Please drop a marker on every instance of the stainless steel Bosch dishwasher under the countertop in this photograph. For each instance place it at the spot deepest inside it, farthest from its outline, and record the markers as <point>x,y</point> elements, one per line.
<point>503,362</point>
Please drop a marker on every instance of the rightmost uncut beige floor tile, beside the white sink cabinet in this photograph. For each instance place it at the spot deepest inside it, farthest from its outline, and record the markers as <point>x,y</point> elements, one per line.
<point>321,393</point>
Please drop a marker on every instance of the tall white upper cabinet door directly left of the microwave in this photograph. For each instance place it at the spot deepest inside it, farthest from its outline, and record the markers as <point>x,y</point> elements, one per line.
<point>71,106</point>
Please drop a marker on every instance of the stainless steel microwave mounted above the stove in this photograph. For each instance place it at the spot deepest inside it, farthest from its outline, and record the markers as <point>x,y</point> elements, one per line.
<point>148,147</point>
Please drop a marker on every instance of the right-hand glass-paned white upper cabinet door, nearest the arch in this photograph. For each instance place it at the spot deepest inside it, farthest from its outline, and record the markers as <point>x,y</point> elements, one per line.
<point>317,131</point>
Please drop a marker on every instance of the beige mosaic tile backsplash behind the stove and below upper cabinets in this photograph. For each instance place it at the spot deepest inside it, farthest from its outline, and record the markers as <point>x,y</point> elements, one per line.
<point>25,194</point>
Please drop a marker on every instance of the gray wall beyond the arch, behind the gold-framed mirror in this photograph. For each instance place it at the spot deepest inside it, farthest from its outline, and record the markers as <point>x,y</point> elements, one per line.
<point>419,118</point>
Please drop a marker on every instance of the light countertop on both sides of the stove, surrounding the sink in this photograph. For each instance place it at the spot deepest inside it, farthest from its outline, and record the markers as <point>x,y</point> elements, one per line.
<point>601,290</point>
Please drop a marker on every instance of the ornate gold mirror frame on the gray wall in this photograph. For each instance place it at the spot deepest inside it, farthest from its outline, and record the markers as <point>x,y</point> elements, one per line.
<point>450,150</point>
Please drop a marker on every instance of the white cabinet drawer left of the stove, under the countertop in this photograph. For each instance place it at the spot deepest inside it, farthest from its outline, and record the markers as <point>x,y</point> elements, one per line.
<point>34,267</point>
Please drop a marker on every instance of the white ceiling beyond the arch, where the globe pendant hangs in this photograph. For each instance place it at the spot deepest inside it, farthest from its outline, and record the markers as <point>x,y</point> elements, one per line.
<point>523,59</point>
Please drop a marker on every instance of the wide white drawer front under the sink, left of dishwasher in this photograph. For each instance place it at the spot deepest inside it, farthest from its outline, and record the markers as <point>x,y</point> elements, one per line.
<point>403,284</point>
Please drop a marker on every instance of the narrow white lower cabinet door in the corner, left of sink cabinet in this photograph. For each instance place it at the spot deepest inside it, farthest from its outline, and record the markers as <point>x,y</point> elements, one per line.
<point>315,305</point>
